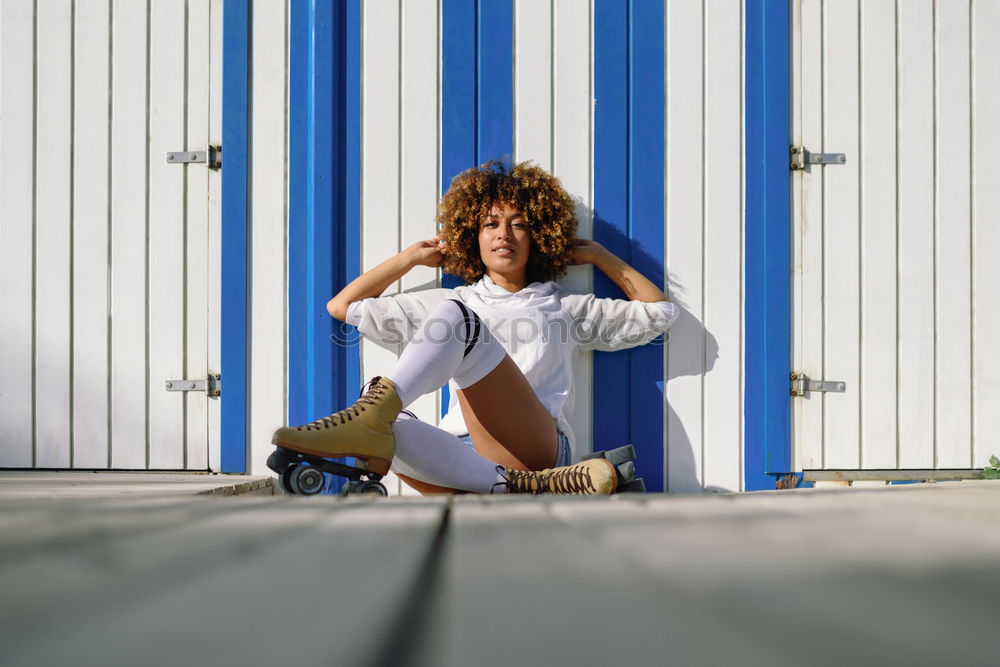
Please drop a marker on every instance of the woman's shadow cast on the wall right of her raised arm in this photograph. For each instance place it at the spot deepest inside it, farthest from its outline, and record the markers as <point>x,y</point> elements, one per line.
<point>692,351</point>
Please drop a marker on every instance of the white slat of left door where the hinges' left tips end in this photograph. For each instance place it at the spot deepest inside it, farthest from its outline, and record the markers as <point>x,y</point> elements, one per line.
<point>166,235</point>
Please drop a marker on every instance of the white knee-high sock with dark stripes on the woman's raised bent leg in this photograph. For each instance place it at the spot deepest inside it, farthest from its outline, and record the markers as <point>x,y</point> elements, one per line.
<point>452,343</point>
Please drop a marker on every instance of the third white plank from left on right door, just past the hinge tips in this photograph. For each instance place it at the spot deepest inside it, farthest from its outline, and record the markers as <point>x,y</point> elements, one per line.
<point>878,234</point>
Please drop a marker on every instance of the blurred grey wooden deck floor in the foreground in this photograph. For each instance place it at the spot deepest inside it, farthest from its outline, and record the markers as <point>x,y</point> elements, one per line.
<point>907,575</point>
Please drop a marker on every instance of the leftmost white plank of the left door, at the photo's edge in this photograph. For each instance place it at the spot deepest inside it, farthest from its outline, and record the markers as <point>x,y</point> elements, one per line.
<point>16,232</point>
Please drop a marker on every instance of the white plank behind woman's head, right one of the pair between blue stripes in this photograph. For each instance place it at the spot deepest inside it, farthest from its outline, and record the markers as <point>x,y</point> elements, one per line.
<point>572,163</point>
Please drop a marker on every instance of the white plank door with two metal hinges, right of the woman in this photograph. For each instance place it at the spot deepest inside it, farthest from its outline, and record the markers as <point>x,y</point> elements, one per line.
<point>894,250</point>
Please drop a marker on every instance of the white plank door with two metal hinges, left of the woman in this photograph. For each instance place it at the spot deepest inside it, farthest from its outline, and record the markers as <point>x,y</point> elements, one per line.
<point>108,251</point>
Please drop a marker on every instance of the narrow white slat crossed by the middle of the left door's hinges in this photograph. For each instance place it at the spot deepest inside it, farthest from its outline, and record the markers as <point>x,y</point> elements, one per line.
<point>196,252</point>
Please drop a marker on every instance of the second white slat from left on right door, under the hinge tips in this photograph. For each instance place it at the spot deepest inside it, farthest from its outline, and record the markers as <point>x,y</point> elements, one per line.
<point>840,232</point>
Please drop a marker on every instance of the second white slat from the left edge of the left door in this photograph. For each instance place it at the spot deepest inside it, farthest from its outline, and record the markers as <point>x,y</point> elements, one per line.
<point>52,228</point>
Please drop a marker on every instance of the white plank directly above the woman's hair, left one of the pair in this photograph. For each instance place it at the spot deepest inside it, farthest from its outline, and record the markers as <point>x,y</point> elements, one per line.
<point>533,82</point>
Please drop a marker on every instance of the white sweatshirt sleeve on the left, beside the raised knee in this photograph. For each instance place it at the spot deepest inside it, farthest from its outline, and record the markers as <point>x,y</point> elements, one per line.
<point>392,321</point>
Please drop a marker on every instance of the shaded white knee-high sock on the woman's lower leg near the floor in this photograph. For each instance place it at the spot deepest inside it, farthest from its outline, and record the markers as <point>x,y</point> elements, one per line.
<point>432,455</point>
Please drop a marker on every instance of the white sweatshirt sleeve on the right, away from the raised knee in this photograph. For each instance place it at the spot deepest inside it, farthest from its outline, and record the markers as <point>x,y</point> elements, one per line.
<point>616,324</point>
